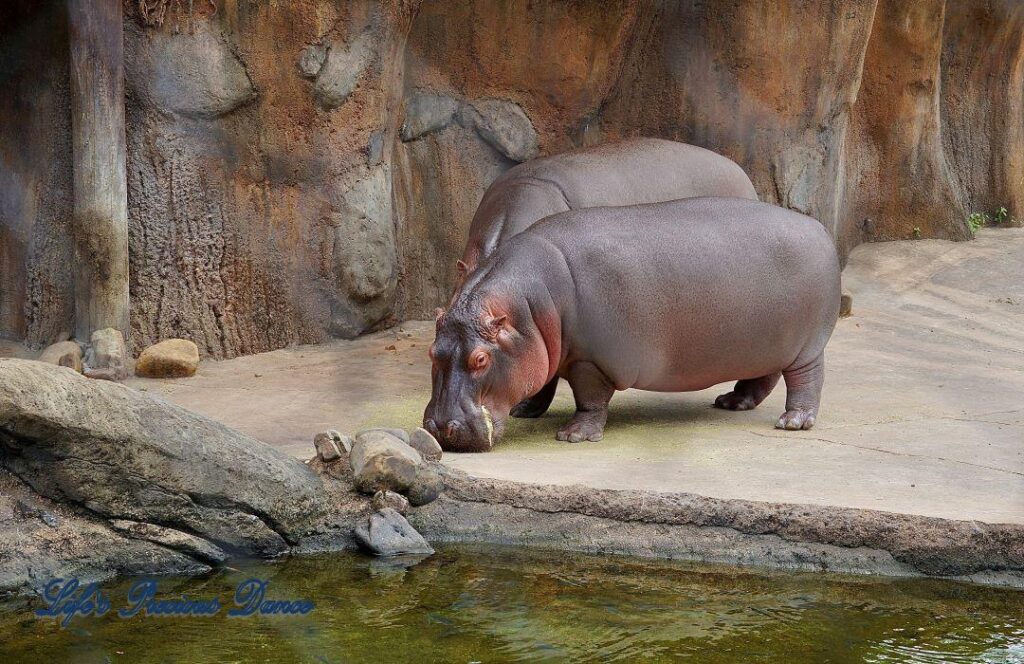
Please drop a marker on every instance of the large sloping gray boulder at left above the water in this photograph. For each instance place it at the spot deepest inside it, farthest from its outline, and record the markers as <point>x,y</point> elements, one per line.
<point>126,455</point>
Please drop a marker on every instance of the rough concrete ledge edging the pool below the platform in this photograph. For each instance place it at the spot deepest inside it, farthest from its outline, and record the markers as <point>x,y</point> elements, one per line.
<point>709,530</point>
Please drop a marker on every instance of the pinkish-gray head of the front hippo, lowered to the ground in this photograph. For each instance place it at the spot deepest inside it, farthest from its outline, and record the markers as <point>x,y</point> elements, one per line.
<point>487,357</point>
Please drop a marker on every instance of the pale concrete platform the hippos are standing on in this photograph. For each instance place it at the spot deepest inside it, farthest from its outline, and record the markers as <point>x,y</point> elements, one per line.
<point>923,412</point>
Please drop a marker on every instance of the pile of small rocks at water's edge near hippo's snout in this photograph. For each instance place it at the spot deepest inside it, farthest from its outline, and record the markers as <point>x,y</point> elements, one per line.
<point>400,470</point>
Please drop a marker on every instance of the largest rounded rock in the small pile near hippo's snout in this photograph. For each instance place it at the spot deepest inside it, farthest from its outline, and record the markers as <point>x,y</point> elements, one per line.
<point>382,463</point>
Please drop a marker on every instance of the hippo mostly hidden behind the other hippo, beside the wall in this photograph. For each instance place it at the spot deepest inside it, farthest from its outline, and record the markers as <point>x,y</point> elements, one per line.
<point>627,173</point>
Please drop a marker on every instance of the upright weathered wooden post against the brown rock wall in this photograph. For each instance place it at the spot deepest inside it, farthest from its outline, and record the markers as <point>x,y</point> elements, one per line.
<point>101,222</point>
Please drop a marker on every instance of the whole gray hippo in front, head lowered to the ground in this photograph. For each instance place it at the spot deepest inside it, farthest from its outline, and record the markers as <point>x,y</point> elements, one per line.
<point>710,290</point>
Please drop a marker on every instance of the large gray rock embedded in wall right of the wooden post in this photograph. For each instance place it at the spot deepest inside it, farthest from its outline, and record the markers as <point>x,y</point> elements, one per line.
<point>194,73</point>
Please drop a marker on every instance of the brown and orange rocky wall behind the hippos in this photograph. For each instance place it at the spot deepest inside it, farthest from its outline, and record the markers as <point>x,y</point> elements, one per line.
<point>308,170</point>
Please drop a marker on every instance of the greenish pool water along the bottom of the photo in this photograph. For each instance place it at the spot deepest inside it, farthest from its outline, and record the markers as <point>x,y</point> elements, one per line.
<point>498,605</point>
